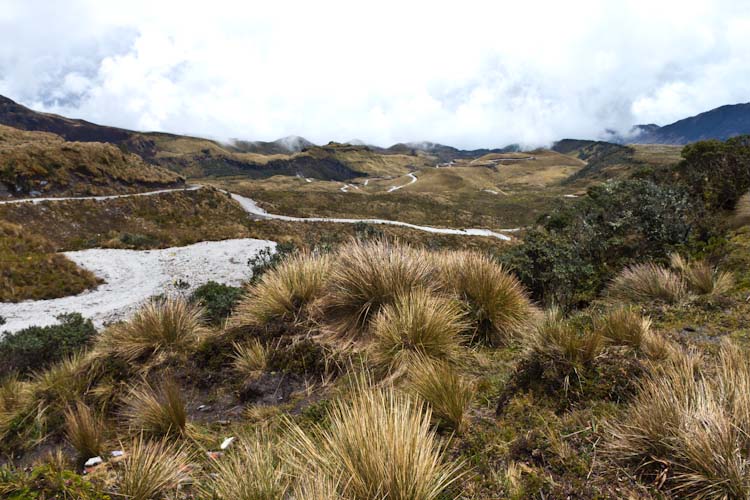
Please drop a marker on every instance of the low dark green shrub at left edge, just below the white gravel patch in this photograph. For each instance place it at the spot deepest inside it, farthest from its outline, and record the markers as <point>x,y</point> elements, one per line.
<point>37,347</point>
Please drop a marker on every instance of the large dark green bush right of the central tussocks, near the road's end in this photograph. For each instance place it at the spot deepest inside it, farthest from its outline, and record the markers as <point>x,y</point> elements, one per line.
<point>576,249</point>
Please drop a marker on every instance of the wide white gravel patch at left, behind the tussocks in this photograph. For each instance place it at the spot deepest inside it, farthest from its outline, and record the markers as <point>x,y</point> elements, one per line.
<point>132,276</point>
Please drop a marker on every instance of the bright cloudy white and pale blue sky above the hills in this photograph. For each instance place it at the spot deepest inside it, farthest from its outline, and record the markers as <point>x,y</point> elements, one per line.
<point>465,73</point>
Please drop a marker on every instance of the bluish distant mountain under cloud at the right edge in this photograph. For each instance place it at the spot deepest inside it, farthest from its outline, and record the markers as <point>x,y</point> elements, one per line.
<point>720,123</point>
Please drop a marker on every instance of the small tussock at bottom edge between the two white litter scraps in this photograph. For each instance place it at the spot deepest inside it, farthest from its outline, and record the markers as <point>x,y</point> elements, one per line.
<point>151,469</point>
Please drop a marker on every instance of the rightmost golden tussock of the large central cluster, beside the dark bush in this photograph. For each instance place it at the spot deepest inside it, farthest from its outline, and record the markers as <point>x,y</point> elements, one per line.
<point>497,302</point>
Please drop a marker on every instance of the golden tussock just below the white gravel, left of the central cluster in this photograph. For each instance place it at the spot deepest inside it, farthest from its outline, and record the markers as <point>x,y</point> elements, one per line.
<point>160,328</point>
